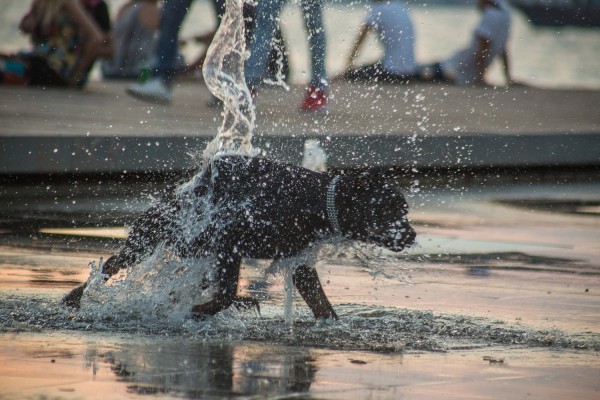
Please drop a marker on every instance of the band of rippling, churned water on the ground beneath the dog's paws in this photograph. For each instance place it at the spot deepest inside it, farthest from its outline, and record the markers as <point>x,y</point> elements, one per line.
<point>361,327</point>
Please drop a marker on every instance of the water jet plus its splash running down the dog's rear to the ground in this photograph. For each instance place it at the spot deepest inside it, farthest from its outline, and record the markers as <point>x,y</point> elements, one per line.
<point>165,286</point>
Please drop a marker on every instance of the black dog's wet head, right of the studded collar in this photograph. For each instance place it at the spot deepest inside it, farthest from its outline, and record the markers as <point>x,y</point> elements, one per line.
<point>379,214</point>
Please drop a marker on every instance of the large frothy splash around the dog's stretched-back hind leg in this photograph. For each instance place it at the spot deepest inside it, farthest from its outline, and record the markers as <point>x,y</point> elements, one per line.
<point>158,291</point>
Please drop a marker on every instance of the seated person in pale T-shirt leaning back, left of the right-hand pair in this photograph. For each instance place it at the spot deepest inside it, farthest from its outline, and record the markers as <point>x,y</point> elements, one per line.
<point>468,66</point>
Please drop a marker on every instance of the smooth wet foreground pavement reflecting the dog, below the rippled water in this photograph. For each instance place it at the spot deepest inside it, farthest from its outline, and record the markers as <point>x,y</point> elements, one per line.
<point>98,366</point>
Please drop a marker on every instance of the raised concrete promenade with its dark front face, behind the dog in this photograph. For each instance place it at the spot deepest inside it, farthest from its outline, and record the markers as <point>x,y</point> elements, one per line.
<point>103,130</point>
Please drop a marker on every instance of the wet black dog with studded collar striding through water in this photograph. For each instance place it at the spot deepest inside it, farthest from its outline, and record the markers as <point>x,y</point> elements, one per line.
<point>265,210</point>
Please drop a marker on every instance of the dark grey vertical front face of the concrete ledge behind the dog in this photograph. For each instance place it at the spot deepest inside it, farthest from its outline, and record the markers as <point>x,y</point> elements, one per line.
<point>28,155</point>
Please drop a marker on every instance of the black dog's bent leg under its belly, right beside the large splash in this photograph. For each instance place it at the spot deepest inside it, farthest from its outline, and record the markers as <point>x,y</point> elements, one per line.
<point>228,273</point>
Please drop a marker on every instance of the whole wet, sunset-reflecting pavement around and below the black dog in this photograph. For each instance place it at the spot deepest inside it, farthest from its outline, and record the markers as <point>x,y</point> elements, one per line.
<point>499,299</point>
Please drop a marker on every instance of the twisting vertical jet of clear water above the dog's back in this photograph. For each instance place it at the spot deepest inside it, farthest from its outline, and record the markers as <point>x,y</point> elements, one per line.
<point>223,73</point>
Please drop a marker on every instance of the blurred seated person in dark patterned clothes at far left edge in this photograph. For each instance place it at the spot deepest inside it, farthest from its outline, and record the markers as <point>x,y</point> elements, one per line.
<point>65,43</point>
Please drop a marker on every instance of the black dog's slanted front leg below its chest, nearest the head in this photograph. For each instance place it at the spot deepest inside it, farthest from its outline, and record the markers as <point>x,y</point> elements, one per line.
<point>309,286</point>
